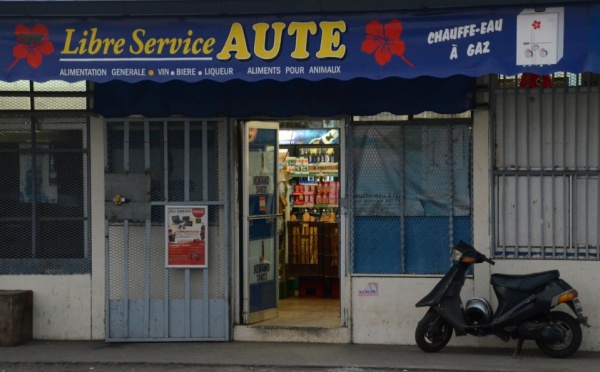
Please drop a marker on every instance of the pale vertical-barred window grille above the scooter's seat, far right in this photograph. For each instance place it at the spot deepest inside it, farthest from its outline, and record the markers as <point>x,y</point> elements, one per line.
<point>546,166</point>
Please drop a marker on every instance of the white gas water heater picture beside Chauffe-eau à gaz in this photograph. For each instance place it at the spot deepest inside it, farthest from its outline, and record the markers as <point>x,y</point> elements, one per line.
<point>540,36</point>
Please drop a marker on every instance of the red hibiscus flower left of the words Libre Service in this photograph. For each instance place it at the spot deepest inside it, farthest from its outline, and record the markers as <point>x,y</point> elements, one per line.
<point>33,43</point>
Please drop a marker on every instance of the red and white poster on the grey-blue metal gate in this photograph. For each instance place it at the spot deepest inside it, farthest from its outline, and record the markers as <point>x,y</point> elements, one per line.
<point>186,236</point>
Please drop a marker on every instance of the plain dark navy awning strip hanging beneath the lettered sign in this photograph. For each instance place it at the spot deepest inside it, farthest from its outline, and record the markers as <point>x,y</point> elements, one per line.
<point>327,97</point>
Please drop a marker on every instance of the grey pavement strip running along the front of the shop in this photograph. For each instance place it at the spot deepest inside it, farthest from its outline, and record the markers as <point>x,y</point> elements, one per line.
<point>298,355</point>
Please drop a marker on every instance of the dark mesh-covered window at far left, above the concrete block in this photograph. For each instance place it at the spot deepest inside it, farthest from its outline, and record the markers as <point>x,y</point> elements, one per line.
<point>44,179</point>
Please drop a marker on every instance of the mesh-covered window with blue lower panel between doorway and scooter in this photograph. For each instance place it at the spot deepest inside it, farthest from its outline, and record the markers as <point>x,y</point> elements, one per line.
<point>410,194</point>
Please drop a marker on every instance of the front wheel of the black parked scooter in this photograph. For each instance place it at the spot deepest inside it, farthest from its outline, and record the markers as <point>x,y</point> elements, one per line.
<point>433,332</point>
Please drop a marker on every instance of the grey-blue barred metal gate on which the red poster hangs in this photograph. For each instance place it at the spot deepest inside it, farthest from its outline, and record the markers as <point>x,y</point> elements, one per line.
<point>186,161</point>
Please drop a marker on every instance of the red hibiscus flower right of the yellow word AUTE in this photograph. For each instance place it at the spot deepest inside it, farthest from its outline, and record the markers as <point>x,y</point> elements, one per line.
<point>385,41</point>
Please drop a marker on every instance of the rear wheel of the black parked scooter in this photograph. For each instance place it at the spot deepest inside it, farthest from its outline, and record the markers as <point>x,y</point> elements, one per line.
<point>570,326</point>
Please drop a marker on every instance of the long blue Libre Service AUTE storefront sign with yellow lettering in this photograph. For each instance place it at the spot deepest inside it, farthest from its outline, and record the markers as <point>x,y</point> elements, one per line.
<point>312,47</point>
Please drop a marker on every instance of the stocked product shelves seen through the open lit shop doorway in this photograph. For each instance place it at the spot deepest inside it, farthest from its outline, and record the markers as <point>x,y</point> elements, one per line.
<point>311,175</point>
